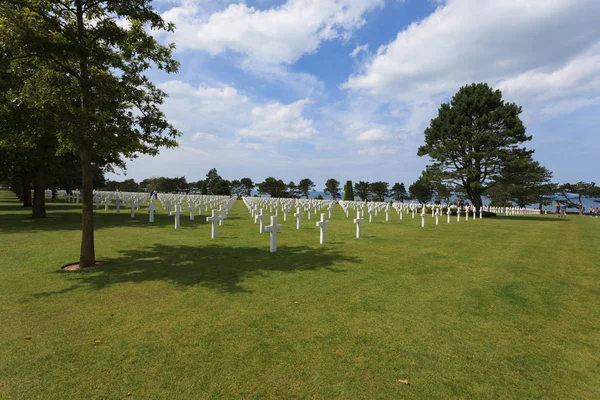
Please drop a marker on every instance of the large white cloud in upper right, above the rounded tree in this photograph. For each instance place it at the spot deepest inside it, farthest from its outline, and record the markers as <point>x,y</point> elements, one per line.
<point>467,41</point>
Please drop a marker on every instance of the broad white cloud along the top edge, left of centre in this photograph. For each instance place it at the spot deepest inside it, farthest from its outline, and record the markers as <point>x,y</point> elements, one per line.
<point>277,35</point>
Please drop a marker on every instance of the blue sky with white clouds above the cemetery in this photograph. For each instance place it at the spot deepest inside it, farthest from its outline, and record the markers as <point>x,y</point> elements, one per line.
<point>344,89</point>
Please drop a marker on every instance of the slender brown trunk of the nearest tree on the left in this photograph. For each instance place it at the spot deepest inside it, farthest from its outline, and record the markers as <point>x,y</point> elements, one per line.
<point>87,258</point>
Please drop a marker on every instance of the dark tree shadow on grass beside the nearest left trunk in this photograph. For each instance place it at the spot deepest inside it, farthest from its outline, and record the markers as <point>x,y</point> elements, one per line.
<point>217,267</point>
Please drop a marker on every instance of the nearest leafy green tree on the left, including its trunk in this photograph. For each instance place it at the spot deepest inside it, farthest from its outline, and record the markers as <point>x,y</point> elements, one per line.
<point>96,84</point>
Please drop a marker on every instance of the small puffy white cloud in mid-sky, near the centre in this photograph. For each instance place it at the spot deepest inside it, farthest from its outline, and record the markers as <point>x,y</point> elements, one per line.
<point>276,121</point>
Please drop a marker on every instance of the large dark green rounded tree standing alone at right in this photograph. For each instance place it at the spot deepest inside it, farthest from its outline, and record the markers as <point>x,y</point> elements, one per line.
<point>474,138</point>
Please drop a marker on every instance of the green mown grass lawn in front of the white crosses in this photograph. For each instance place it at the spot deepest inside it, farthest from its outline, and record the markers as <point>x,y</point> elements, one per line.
<point>499,308</point>
